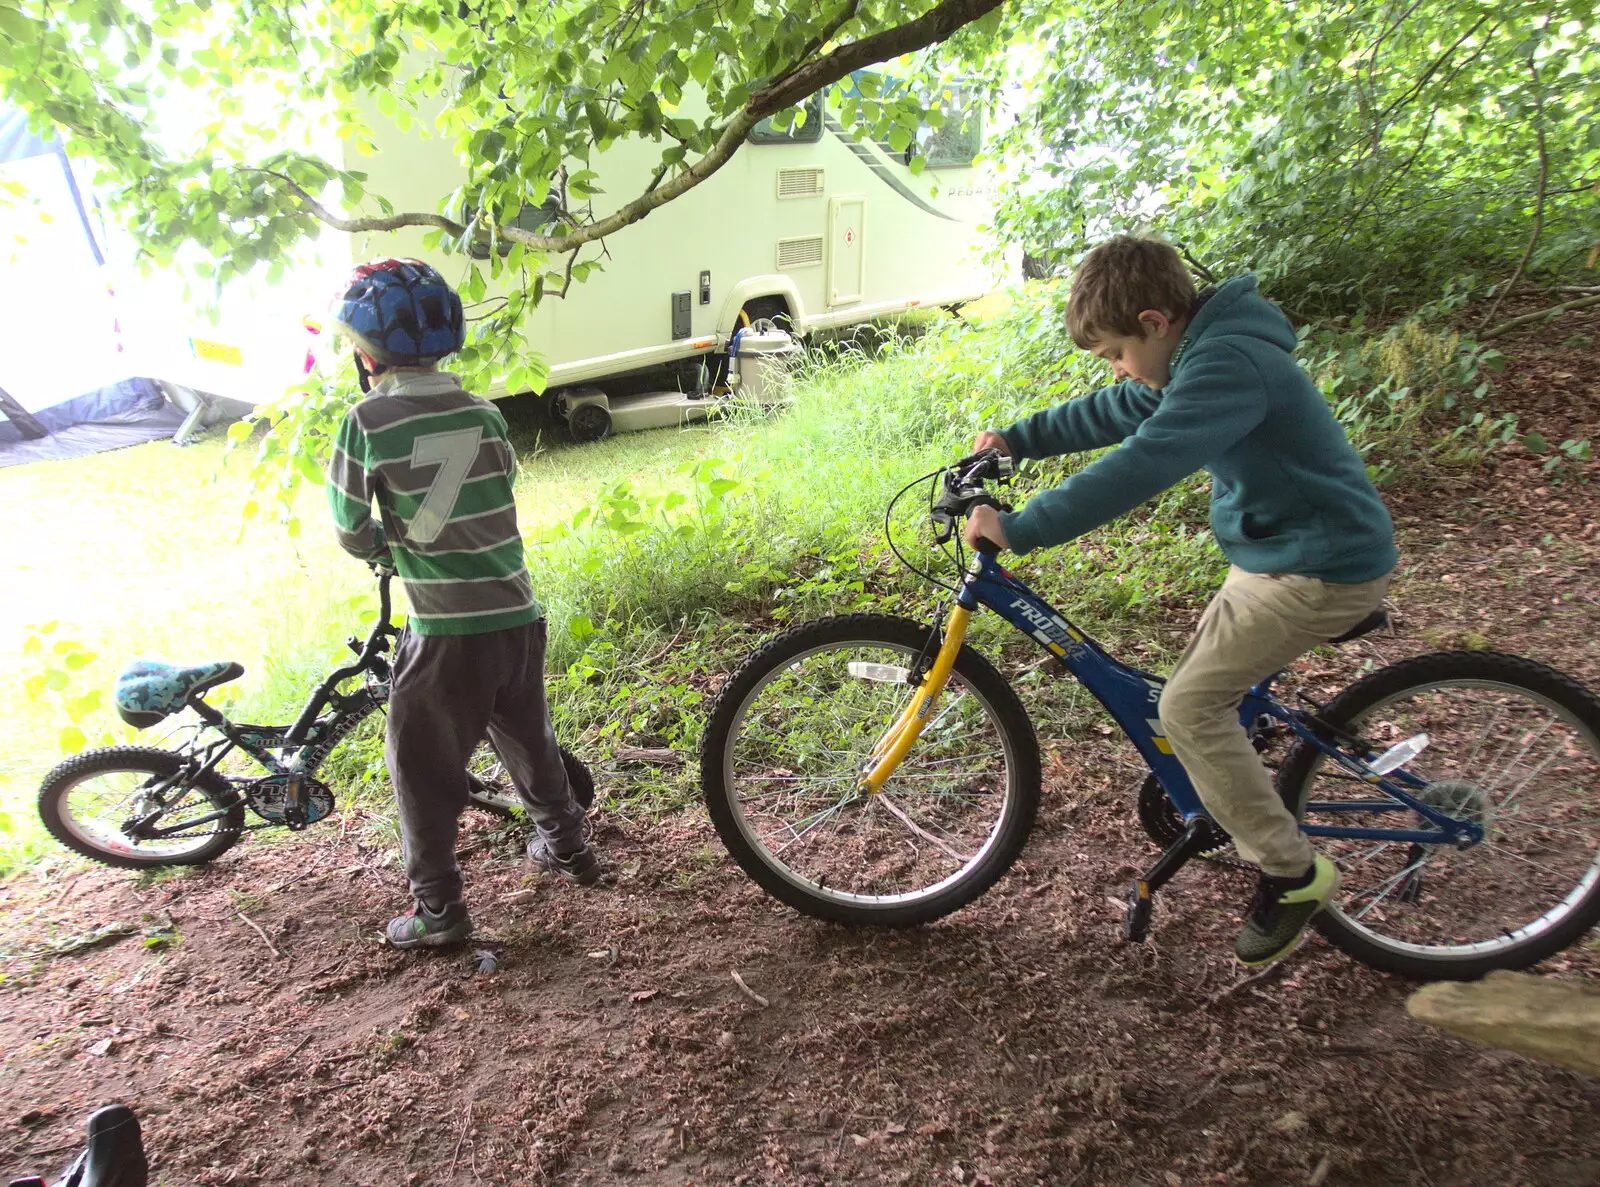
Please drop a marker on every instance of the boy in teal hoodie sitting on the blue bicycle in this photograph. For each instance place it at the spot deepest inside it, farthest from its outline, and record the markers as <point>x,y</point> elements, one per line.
<point>1207,382</point>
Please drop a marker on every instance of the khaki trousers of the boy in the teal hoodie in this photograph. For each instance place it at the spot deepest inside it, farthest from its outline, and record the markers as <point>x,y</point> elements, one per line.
<point>1255,626</point>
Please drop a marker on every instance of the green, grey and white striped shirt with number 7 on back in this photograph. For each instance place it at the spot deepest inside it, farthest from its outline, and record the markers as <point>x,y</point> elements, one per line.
<point>441,468</point>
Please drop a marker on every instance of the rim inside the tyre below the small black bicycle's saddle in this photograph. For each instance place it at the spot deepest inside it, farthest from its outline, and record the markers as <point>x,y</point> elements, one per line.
<point>98,804</point>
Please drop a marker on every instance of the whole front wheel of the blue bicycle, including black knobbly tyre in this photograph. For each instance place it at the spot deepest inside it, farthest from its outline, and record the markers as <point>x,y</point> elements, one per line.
<point>791,735</point>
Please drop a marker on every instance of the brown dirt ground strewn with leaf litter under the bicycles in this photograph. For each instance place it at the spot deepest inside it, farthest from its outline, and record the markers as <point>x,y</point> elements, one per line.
<point>278,1042</point>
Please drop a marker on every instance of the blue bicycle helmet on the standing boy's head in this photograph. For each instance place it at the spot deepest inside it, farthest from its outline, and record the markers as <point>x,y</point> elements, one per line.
<point>401,313</point>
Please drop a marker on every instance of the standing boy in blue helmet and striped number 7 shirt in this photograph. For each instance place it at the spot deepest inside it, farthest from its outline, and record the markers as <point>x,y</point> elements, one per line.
<point>471,665</point>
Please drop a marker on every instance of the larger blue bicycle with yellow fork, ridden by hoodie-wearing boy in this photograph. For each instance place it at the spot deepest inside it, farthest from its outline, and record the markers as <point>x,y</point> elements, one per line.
<point>871,769</point>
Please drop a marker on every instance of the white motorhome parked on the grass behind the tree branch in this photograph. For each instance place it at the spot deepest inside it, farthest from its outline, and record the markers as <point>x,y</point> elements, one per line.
<point>806,226</point>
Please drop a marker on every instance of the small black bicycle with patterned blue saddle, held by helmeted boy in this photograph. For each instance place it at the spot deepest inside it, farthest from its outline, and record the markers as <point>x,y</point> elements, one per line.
<point>140,807</point>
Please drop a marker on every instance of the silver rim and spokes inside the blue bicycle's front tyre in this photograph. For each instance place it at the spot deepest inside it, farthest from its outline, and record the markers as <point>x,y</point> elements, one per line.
<point>799,745</point>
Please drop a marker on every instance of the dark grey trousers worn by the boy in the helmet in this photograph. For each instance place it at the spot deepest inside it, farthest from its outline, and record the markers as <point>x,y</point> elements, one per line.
<point>450,693</point>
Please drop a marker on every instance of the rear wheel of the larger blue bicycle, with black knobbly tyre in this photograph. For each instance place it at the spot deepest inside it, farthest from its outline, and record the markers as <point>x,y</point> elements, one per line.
<point>1514,746</point>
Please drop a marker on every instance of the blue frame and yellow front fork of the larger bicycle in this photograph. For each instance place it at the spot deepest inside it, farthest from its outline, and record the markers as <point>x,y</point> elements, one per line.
<point>1132,697</point>
